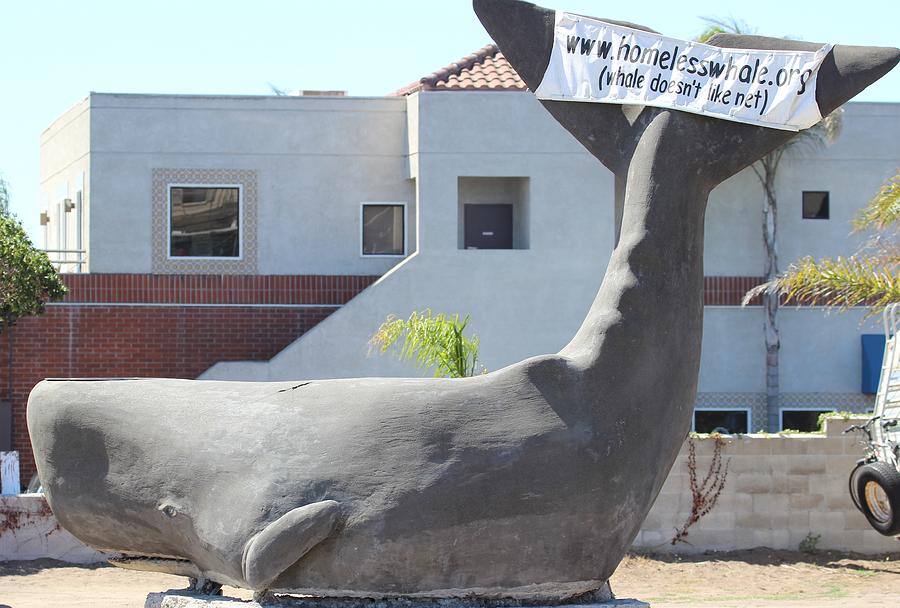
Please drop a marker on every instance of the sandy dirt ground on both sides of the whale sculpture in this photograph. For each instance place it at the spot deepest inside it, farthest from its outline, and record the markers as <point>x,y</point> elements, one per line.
<point>744,579</point>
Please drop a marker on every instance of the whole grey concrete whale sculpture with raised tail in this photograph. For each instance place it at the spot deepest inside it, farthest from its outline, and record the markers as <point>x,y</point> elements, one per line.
<point>528,482</point>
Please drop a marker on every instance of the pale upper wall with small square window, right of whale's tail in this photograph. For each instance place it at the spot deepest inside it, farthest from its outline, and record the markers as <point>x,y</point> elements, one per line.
<point>864,156</point>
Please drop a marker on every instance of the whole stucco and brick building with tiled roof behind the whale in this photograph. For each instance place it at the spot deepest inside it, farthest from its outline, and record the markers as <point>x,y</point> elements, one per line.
<point>226,237</point>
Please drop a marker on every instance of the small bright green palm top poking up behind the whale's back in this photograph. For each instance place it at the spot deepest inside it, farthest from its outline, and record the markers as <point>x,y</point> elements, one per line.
<point>430,341</point>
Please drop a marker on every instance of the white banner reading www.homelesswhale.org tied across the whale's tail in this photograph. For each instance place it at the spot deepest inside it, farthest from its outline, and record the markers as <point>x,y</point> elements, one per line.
<point>594,61</point>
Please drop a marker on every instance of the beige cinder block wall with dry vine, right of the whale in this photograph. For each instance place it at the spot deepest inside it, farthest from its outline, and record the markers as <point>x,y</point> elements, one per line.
<point>778,490</point>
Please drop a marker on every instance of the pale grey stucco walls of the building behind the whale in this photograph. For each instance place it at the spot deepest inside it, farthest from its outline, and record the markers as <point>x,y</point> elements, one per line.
<point>317,159</point>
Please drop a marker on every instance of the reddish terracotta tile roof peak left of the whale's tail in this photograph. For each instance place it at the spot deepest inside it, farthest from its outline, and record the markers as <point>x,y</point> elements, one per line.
<point>486,69</point>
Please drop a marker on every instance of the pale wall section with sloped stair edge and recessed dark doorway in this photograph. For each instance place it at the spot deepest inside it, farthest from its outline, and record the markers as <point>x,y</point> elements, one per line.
<point>522,302</point>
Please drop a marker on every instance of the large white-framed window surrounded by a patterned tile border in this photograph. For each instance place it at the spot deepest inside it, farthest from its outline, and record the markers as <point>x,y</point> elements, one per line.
<point>205,222</point>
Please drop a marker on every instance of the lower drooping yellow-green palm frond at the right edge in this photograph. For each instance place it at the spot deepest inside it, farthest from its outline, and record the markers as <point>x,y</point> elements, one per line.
<point>840,283</point>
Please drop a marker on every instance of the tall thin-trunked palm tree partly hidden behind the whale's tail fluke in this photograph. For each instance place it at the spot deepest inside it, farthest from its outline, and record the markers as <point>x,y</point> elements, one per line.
<point>815,138</point>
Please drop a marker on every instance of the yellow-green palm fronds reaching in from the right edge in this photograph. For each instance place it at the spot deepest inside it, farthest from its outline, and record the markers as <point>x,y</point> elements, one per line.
<point>867,278</point>
